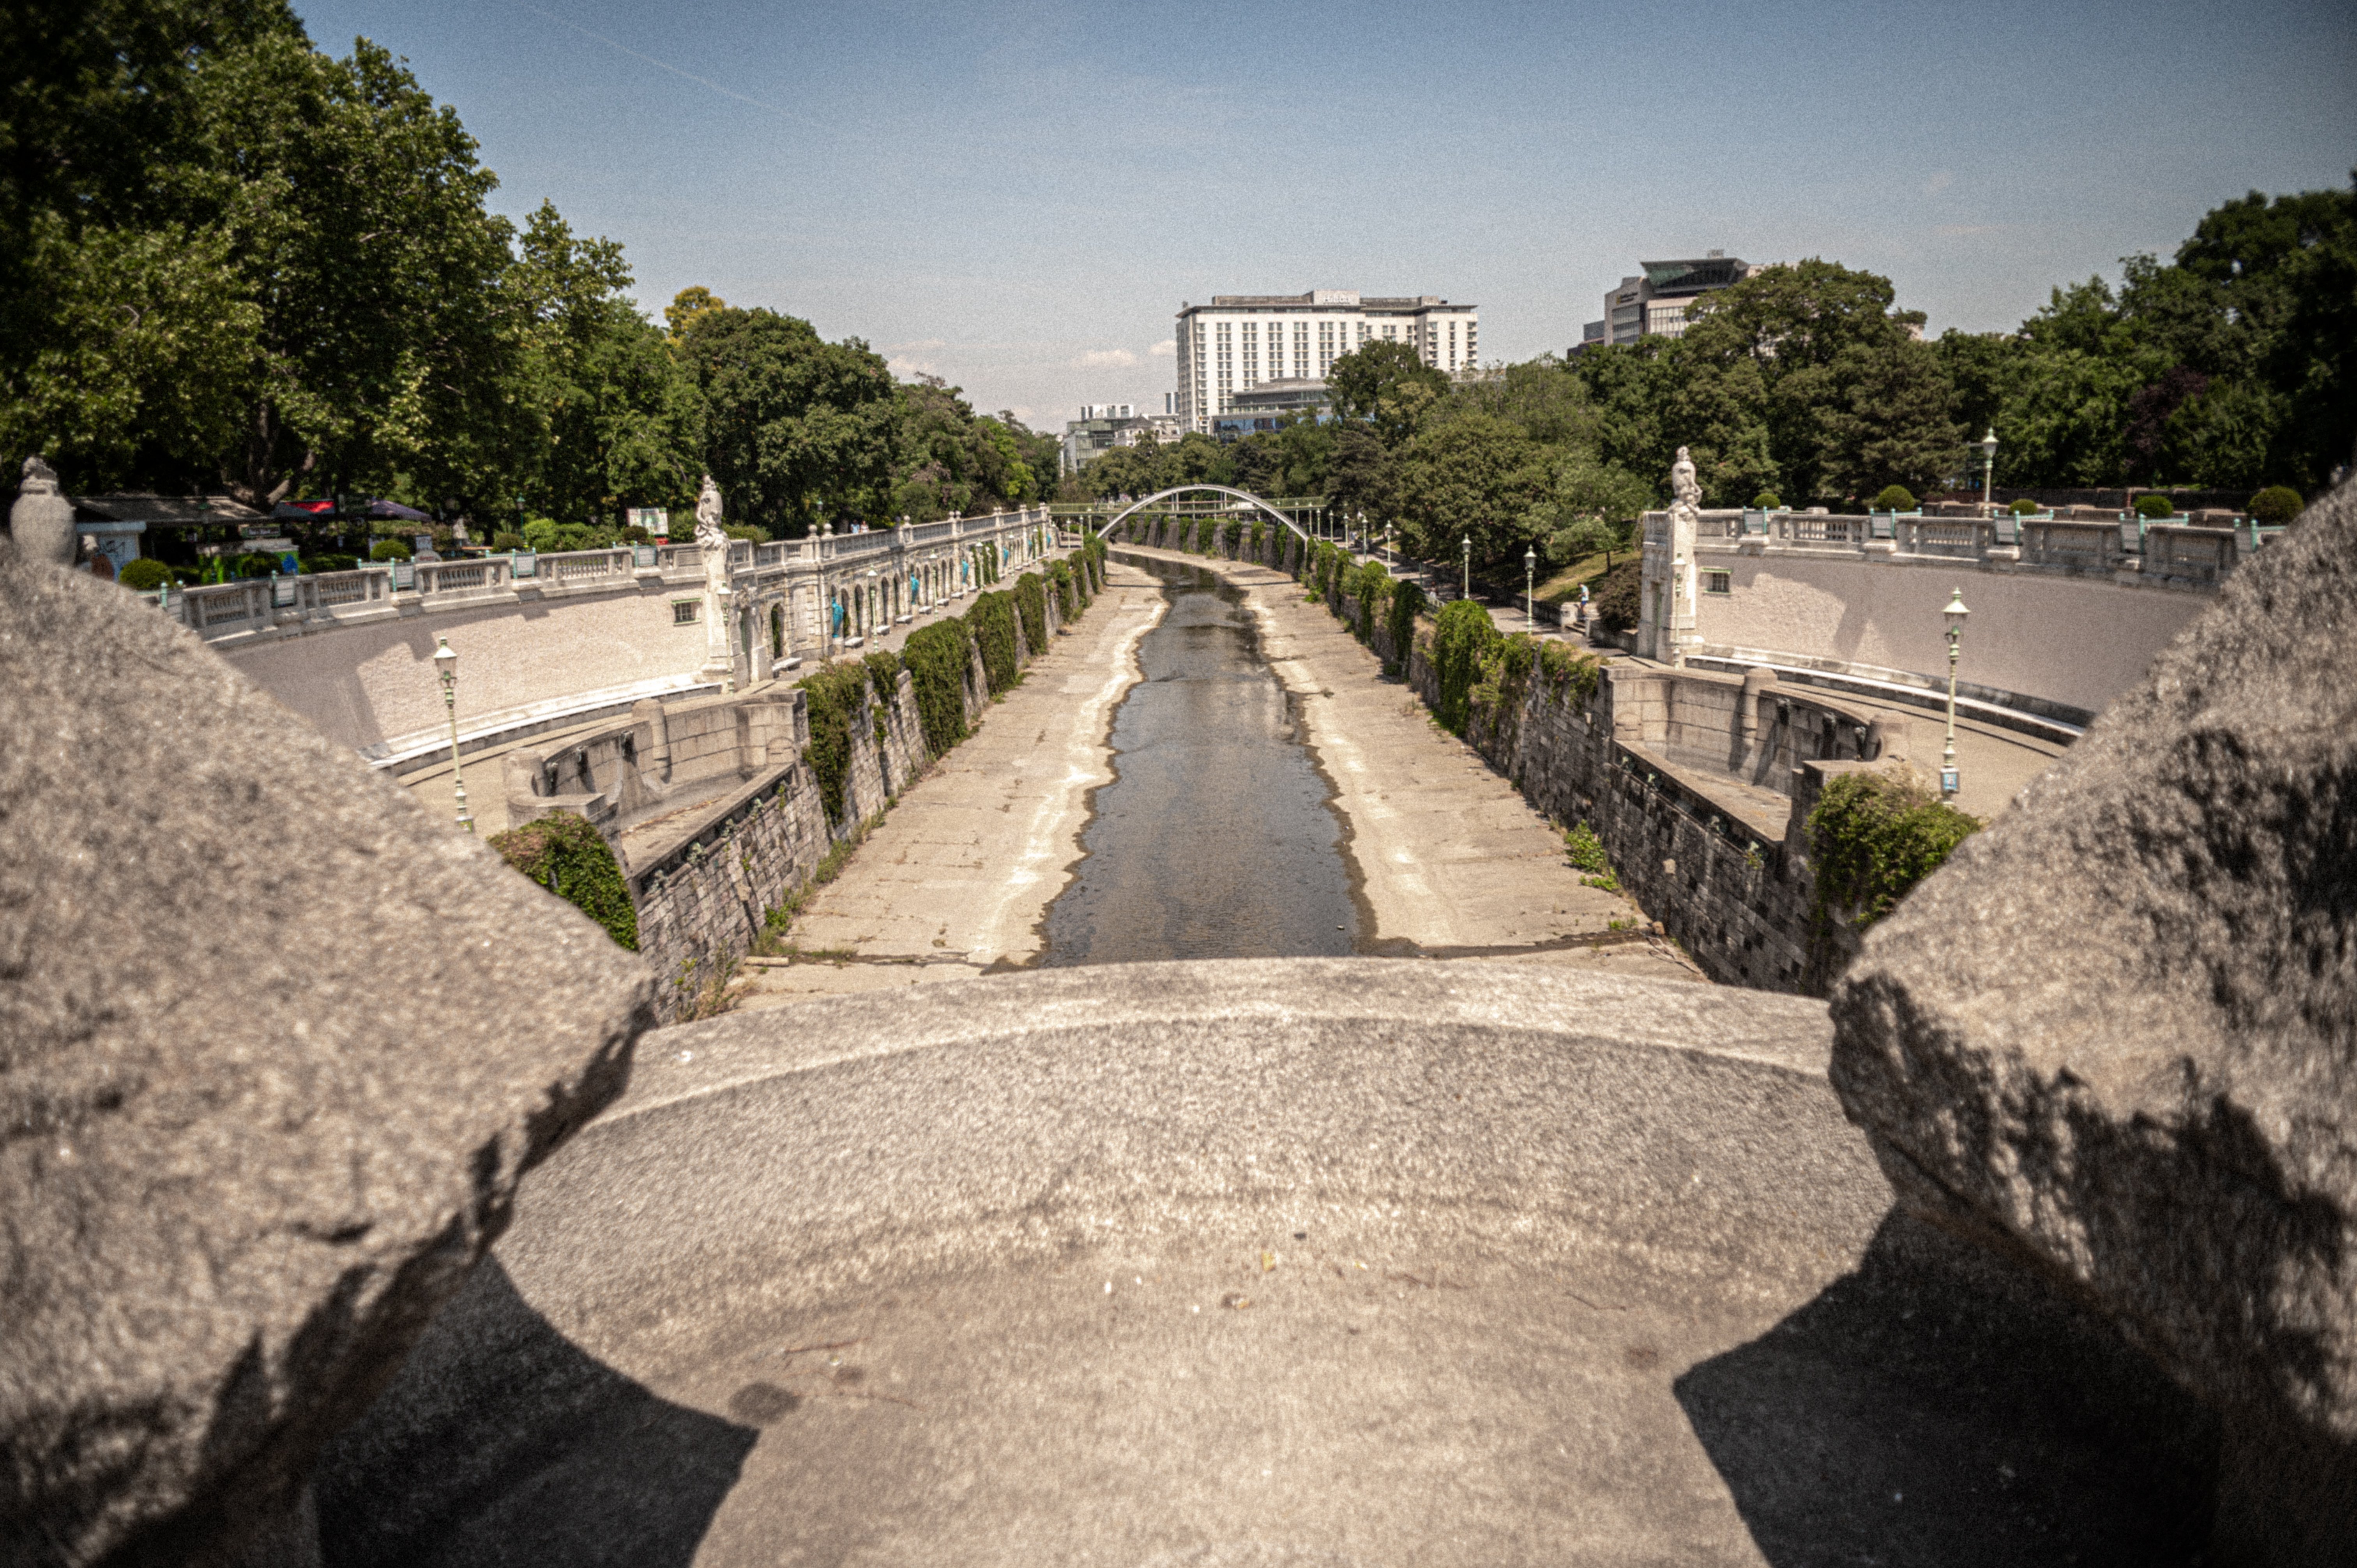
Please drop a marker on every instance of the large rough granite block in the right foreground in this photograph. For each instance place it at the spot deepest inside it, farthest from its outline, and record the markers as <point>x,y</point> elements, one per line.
<point>2118,1034</point>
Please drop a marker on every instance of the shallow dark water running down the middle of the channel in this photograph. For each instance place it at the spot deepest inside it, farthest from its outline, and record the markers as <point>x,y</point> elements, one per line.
<point>1217,836</point>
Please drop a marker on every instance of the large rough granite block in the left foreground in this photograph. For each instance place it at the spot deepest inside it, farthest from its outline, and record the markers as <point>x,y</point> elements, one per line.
<point>275,1050</point>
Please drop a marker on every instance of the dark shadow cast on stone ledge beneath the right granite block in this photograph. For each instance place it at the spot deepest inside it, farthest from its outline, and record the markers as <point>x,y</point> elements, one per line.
<point>1939,1385</point>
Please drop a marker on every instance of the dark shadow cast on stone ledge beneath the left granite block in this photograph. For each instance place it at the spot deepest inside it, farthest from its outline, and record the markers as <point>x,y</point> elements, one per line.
<point>503,1444</point>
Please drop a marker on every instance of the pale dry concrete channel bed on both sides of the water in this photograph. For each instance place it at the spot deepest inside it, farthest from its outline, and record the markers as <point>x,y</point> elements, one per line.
<point>1451,859</point>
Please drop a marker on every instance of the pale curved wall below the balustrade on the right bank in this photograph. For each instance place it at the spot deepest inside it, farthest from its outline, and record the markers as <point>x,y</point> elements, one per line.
<point>2068,640</point>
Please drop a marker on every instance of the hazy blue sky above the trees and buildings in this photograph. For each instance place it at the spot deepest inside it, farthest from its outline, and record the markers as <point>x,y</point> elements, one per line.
<point>1019,195</point>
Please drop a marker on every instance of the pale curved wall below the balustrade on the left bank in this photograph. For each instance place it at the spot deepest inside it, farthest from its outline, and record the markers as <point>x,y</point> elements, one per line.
<point>374,685</point>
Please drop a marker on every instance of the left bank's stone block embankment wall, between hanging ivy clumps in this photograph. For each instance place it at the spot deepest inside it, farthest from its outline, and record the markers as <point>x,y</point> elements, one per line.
<point>704,890</point>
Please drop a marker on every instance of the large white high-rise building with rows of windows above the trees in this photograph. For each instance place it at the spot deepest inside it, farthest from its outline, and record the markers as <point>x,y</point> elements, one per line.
<point>1243,341</point>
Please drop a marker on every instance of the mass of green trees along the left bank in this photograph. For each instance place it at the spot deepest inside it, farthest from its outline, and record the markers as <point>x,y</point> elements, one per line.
<point>235,263</point>
